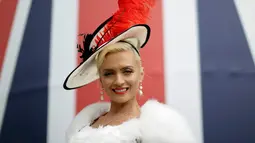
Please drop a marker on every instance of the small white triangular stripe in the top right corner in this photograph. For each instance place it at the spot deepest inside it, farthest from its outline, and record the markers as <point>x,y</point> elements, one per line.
<point>246,11</point>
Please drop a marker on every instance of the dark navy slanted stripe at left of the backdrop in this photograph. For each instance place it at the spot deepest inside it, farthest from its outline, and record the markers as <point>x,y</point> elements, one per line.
<point>25,119</point>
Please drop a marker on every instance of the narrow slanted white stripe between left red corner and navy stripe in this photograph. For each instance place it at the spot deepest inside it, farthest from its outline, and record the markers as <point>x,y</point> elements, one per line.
<point>12,52</point>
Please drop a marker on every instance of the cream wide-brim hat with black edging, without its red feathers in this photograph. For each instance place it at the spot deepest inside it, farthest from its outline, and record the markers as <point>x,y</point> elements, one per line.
<point>87,71</point>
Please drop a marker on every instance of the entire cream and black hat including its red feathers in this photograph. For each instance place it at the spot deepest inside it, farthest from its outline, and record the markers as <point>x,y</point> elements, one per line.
<point>129,21</point>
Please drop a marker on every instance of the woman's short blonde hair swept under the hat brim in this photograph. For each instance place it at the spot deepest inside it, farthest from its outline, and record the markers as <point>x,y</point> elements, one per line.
<point>117,47</point>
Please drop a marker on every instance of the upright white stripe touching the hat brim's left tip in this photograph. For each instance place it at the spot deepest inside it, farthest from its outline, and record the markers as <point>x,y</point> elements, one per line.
<point>61,103</point>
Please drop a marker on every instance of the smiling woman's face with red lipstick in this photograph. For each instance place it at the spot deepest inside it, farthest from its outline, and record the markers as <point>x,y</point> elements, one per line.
<point>120,75</point>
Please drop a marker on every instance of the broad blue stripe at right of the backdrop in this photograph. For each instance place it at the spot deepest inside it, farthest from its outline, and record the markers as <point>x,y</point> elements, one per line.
<point>228,75</point>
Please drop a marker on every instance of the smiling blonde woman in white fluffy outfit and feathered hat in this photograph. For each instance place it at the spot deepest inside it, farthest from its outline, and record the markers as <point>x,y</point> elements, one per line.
<point>113,58</point>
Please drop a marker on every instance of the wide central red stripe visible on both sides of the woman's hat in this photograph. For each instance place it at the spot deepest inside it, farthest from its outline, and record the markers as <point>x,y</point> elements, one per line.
<point>94,12</point>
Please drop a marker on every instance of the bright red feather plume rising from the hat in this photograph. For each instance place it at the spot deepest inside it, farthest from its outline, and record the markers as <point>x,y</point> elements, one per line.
<point>130,12</point>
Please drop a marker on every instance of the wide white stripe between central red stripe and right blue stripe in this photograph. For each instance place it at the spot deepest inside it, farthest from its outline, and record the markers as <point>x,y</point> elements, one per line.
<point>182,62</point>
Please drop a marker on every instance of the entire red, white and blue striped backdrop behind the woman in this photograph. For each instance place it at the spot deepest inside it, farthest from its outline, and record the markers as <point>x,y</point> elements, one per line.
<point>199,60</point>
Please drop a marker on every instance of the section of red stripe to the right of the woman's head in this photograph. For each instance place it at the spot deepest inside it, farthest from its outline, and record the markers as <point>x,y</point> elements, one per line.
<point>152,57</point>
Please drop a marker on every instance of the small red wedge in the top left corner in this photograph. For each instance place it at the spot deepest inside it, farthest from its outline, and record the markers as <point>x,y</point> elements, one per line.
<point>7,11</point>
